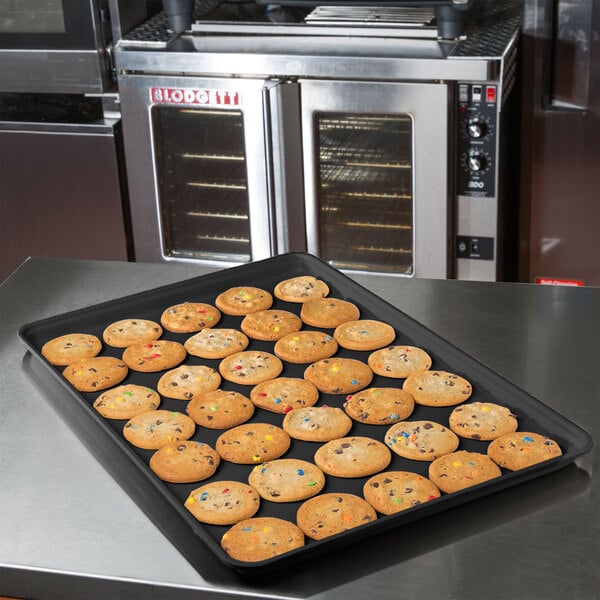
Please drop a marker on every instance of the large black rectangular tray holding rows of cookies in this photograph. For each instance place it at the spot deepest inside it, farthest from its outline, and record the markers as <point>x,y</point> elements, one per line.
<point>164,502</point>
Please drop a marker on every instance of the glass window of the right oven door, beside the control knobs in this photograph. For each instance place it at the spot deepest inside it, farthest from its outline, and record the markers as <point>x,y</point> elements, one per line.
<point>365,191</point>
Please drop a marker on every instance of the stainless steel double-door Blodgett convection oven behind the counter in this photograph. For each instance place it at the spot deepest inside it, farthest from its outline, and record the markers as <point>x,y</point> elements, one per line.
<point>358,134</point>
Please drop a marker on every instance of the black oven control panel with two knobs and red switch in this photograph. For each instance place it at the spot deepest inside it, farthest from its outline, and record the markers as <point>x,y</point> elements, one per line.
<point>477,124</point>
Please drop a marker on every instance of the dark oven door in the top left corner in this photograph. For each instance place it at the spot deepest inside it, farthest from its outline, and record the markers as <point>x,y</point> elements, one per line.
<point>54,46</point>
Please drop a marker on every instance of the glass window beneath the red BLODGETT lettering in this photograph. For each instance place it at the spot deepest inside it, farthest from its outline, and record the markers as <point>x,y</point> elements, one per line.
<point>203,183</point>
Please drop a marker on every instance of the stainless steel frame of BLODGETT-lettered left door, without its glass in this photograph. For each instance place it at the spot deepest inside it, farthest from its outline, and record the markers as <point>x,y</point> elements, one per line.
<point>137,103</point>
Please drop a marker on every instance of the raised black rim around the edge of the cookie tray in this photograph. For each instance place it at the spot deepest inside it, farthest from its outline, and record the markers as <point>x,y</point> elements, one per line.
<point>446,501</point>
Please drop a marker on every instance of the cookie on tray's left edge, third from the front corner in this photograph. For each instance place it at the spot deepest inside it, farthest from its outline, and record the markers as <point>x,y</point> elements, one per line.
<point>185,462</point>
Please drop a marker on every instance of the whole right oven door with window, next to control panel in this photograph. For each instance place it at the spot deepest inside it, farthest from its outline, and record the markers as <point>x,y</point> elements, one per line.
<point>376,168</point>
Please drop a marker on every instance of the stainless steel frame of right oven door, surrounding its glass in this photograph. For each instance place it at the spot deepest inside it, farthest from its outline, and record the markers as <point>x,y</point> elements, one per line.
<point>427,106</point>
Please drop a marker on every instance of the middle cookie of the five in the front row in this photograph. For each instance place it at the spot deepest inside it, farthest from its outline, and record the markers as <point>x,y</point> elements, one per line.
<point>394,491</point>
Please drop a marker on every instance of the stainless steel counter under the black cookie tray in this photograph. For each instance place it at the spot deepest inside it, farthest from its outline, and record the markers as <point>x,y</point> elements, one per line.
<point>68,530</point>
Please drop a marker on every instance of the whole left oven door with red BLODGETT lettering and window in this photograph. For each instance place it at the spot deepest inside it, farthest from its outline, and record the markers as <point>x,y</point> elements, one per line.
<point>197,168</point>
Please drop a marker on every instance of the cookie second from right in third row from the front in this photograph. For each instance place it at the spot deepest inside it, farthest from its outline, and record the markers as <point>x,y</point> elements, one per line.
<point>379,406</point>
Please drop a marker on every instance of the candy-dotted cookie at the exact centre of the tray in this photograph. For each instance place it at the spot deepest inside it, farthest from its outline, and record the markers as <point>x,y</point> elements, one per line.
<point>283,394</point>
